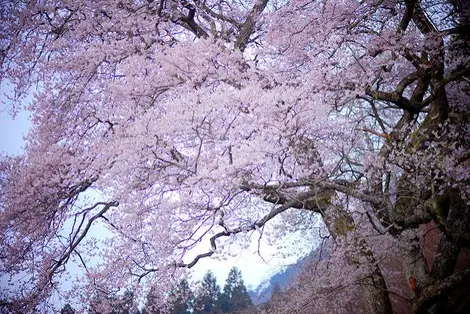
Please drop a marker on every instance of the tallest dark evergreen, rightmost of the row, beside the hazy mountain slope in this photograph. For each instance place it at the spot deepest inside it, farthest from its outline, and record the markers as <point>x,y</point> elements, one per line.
<point>235,296</point>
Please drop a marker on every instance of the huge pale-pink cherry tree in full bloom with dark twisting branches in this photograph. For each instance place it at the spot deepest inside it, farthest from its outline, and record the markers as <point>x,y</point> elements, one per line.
<point>173,123</point>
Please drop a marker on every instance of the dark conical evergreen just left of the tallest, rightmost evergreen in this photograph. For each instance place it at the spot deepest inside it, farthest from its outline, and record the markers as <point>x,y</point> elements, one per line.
<point>208,295</point>
